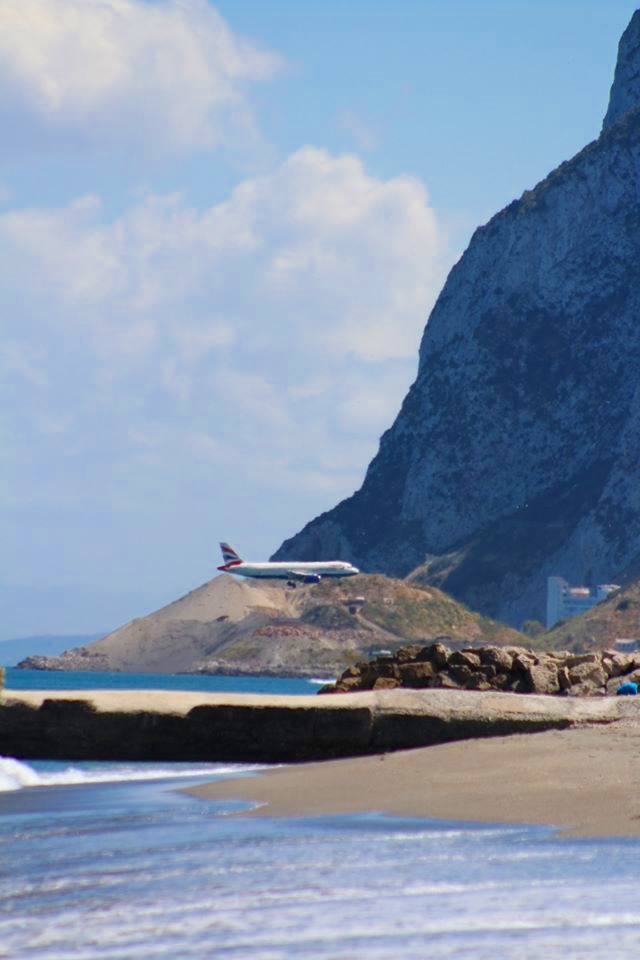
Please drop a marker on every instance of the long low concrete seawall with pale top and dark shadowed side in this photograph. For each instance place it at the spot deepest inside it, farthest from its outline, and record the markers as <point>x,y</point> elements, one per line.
<point>166,725</point>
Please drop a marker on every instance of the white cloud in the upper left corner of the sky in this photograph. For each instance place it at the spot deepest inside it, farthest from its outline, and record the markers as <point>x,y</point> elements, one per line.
<point>168,74</point>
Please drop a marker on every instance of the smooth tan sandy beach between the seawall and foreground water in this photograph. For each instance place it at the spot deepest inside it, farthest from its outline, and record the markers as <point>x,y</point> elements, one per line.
<point>585,782</point>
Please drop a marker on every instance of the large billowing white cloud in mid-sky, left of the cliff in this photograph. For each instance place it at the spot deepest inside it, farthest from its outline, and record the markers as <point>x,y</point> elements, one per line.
<point>274,334</point>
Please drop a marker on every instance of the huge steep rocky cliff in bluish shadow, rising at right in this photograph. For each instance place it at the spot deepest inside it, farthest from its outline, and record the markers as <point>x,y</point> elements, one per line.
<point>515,453</point>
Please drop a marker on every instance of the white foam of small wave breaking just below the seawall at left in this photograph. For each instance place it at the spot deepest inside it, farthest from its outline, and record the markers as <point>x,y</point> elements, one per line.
<point>15,775</point>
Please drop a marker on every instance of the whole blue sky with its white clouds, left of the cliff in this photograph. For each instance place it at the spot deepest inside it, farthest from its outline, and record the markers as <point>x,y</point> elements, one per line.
<point>222,229</point>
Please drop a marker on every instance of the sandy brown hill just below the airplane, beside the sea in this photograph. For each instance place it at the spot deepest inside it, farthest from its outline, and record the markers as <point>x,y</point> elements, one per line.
<point>230,625</point>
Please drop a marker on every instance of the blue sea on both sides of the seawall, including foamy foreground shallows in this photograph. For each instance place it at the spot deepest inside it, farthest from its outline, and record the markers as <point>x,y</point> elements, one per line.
<point>115,860</point>
